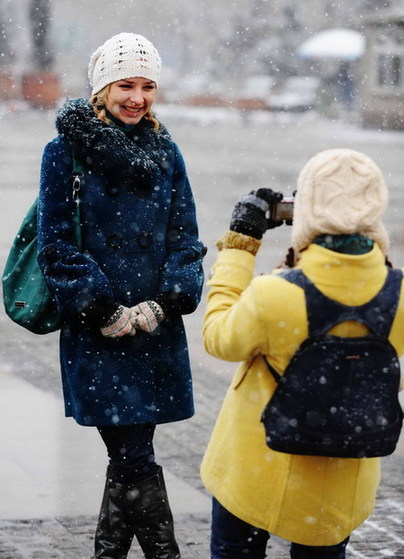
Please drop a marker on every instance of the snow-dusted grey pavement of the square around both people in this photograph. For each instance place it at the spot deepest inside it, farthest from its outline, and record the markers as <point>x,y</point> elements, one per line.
<point>52,471</point>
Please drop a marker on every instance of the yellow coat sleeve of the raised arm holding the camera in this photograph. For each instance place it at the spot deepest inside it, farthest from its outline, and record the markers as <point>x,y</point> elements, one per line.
<point>233,329</point>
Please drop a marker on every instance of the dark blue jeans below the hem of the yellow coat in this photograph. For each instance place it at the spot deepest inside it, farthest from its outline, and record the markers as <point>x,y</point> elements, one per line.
<point>232,538</point>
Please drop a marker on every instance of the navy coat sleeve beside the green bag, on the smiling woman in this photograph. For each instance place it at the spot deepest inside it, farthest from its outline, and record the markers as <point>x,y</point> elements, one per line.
<point>73,277</point>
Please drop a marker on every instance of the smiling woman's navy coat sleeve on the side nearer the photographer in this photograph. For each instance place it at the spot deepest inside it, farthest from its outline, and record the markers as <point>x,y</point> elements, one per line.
<point>182,272</point>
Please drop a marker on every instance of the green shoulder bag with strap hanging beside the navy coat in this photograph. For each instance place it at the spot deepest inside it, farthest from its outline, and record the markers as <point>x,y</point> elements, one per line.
<point>26,297</point>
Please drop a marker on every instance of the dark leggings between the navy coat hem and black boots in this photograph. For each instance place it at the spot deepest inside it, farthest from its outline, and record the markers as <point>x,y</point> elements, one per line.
<point>130,450</point>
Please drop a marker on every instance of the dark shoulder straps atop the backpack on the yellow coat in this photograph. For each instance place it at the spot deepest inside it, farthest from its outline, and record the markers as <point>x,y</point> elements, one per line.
<point>324,313</point>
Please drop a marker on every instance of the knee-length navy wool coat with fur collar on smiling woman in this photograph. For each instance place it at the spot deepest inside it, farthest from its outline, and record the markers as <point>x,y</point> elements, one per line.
<point>139,240</point>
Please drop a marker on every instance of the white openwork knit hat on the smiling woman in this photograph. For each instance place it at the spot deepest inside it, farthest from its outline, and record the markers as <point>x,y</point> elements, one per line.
<point>126,55</point>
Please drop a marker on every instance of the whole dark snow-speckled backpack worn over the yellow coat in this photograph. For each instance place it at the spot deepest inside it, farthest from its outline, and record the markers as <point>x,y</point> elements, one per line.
<point>339,396</point>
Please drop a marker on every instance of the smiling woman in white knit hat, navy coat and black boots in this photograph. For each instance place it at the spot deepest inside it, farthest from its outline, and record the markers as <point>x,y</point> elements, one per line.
<point>123,349</point>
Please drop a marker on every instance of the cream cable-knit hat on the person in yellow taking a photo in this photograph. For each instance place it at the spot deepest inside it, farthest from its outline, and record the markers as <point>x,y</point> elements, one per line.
<point>339,191</point>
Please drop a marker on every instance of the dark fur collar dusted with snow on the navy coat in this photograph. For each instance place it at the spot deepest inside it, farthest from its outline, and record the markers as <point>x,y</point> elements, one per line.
<point>108,150</point>
